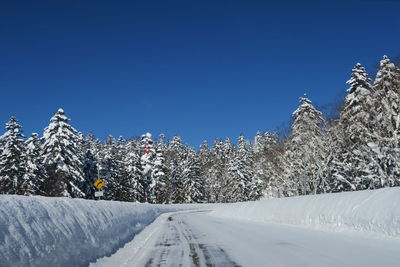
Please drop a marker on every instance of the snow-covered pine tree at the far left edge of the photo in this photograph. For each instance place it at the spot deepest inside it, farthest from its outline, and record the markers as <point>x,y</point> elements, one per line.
<point>13,161</point>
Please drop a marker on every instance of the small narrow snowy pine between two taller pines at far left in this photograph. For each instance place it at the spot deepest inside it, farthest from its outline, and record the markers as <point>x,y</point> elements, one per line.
<point>35,173</point>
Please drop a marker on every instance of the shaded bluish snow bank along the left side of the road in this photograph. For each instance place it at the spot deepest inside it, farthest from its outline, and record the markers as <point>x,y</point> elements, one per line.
<point>40,231</point>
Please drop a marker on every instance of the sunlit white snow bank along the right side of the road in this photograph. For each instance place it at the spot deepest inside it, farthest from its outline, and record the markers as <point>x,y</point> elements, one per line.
<point>372,211</point>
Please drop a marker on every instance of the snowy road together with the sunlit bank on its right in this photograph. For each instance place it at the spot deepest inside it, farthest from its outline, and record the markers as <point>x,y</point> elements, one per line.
<point>266,233</point>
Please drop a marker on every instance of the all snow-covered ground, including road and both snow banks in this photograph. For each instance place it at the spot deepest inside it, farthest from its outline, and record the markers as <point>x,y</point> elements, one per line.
<point>38,231</point>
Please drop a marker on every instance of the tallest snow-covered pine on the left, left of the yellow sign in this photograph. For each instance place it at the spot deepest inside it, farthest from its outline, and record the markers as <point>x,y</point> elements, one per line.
<point>61,158</point>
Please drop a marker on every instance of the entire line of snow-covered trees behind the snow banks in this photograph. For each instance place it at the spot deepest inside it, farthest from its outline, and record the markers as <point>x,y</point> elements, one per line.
<point>358,150</point>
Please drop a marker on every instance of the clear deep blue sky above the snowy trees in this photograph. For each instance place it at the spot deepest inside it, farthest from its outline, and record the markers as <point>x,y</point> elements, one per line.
<point>200,69</point>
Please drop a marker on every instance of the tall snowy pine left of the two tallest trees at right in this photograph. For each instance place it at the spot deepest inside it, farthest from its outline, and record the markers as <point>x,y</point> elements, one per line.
<point>306,150</point>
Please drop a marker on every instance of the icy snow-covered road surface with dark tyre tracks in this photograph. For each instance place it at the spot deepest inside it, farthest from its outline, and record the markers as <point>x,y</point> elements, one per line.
<point>200,239</point>
